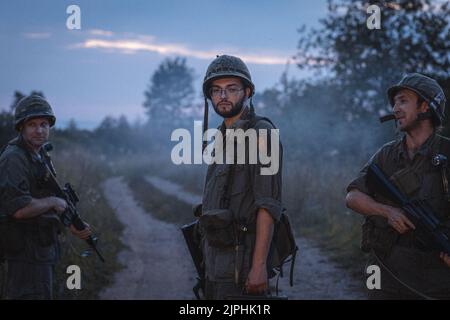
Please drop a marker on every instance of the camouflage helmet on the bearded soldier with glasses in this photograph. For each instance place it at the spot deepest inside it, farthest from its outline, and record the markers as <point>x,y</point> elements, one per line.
<point>227,66</point>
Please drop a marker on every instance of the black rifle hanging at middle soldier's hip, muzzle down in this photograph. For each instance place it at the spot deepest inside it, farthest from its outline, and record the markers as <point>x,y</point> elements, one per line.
<point>192,241</point>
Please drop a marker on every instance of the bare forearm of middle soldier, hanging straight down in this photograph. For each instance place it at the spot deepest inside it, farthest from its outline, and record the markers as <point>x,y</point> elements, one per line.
<point>264,232</point>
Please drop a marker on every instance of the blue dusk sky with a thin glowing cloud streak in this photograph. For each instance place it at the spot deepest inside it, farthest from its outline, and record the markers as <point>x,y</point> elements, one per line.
<point>105,67</point>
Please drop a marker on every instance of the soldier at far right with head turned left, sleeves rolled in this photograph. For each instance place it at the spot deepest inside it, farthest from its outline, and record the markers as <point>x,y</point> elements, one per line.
<point>409,269</point>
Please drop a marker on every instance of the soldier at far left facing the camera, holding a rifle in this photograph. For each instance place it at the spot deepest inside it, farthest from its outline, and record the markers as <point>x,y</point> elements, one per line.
<point>30,231</point>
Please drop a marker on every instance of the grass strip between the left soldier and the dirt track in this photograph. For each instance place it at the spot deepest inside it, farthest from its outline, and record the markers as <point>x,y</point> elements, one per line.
<point>85,172</point>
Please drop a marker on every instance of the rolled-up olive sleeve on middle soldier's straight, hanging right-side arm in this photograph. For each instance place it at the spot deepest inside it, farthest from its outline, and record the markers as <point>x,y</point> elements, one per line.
<point>267,188</point>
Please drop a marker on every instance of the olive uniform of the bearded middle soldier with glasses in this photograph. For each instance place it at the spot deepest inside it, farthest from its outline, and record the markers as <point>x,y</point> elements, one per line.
<point>250,191</point>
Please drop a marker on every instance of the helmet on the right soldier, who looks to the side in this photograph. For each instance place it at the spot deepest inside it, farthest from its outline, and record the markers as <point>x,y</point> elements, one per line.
<point>425,87</point>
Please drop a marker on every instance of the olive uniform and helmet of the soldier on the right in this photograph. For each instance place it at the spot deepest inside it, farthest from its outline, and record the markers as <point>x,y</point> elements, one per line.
<point>417,266</point>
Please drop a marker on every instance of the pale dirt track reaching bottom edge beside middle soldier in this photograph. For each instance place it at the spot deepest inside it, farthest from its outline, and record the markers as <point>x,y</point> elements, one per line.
<point>157,265</point>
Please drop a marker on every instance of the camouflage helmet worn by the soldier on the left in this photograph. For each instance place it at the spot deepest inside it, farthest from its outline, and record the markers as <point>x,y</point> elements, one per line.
<point>33,106</point>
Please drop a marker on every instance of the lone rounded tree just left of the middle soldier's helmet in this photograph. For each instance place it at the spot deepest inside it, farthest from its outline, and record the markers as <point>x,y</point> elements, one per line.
<point>171,89</point>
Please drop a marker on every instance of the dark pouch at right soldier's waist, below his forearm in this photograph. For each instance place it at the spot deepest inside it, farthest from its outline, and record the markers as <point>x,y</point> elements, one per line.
<point>378,235</point>
